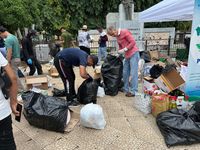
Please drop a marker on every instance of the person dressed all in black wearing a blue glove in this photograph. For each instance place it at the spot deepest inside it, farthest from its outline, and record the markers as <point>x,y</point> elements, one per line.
<point>29,55</point>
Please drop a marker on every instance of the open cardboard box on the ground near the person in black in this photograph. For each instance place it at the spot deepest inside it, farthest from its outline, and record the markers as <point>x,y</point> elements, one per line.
<point>39,81</point>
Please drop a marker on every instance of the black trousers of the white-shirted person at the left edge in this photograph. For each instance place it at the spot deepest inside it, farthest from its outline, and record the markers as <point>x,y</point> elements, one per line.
<point>6,135</point>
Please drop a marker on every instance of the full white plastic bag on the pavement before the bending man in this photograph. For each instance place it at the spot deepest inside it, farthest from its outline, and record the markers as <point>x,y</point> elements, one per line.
<point>91,116</point>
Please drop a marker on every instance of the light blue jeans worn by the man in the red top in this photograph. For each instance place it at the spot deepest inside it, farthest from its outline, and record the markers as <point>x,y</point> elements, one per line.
<point>130,73</point>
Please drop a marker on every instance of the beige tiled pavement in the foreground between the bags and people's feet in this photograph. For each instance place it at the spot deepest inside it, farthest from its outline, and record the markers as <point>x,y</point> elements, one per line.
<point>126,129</point>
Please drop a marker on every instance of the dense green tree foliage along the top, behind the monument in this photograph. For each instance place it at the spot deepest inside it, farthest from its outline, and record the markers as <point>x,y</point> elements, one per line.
<point>50,15</point>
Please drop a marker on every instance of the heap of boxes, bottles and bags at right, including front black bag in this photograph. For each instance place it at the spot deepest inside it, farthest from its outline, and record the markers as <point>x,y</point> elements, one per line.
<point>163,96</point>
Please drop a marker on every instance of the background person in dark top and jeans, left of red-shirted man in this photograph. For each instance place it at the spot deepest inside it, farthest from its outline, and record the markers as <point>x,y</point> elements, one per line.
<point>102,51</point>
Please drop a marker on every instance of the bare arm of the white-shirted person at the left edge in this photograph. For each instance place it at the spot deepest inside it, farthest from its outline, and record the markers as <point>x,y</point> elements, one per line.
<point>13,89</point>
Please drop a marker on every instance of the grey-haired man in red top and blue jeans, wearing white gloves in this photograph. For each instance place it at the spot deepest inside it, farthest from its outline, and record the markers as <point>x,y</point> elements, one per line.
<point>127,46</point>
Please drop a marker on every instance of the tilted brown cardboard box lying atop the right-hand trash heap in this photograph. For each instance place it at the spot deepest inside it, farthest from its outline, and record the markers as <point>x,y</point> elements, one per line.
<point>169,81</point>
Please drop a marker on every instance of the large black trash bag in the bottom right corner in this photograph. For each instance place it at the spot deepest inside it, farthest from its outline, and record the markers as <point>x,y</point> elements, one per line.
<point>180,127</point>
